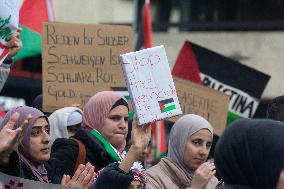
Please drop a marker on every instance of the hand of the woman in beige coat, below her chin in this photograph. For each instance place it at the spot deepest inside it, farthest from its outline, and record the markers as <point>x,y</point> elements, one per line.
<point>202,175</point>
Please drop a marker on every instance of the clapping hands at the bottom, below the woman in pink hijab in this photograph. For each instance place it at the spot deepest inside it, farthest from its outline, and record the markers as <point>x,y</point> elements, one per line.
<point>82,177</point>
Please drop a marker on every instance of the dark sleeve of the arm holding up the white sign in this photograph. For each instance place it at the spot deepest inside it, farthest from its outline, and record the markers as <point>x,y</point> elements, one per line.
<point>113,177</point>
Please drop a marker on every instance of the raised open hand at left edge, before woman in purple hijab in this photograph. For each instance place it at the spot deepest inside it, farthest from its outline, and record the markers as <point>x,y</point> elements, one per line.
<point>10,138</point>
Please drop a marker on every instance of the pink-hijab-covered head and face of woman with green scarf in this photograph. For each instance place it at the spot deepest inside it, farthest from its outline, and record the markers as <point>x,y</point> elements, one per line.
<point>107,114</point>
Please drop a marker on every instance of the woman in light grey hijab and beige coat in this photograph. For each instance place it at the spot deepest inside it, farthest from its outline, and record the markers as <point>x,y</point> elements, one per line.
<point>185,165</point>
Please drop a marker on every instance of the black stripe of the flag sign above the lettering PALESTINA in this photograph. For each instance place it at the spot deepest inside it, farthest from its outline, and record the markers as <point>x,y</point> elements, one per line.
<point>230,72</point>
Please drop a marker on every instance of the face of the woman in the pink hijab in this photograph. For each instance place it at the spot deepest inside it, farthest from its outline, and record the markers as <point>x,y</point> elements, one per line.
<point>115,126</point>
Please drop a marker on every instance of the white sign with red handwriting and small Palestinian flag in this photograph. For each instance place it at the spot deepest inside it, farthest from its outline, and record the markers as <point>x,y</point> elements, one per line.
<point>150,84</point>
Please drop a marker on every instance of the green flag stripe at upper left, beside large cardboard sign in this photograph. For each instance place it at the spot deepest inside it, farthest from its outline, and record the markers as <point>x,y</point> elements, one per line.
<point>32,42</point>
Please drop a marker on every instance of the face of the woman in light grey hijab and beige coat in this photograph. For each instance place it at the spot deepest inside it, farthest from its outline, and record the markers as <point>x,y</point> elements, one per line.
<point>197,148</point>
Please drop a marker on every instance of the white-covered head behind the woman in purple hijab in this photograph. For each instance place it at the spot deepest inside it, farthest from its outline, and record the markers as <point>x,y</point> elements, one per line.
<point>65,122</point>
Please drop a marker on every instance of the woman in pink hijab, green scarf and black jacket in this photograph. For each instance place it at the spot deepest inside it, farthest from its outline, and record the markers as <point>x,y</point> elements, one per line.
<point>105,126</point>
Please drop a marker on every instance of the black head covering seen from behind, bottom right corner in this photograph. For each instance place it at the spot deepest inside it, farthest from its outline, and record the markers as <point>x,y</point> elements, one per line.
<point>250,154</point>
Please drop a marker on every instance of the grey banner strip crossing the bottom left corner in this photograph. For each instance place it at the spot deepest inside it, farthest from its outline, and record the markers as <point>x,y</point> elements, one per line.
<point>9,182</point>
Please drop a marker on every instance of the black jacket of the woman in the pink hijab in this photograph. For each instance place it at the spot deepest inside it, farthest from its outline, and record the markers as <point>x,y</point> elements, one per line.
<point>64,154</point>
